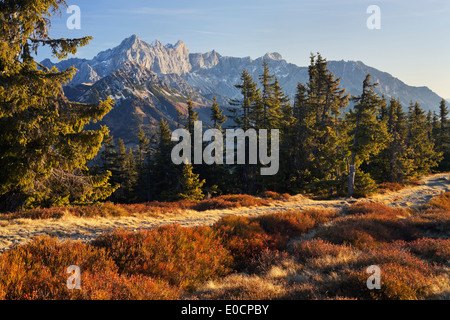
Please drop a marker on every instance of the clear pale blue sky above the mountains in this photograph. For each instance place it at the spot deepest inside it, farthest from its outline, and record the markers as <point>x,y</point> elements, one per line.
<point>413,43</point>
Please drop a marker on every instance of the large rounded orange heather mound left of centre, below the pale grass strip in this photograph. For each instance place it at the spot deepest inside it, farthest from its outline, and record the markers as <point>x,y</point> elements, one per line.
<point>184,257</point>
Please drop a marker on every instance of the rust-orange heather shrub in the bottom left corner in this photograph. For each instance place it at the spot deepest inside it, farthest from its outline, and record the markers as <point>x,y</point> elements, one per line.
<point>37,270</point>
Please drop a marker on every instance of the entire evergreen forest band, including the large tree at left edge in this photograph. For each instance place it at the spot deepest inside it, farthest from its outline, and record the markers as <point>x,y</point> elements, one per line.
<point>331,144</point>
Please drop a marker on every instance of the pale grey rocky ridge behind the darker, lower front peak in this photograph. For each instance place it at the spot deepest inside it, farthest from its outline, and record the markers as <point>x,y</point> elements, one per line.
<point>211,73</point>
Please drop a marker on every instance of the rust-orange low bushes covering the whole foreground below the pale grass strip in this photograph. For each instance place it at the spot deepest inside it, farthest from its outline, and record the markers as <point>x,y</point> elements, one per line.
<point>277,256</point>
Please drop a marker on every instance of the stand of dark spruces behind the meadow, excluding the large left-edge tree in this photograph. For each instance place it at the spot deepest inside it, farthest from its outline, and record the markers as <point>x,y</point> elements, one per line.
<point>331,144</point>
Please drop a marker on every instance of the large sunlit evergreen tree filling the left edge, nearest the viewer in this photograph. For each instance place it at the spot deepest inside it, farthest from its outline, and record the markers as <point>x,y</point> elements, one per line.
<point>43,144</point>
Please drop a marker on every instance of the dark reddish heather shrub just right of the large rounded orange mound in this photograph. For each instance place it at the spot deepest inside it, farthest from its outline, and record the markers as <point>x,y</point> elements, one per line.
<point>244,238</point>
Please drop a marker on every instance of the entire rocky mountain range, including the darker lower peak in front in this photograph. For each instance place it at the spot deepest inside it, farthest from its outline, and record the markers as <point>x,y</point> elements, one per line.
<point>150,82</point>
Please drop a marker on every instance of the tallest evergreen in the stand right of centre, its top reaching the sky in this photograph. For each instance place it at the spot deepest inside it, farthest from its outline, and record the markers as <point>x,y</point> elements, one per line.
<point>318,109</point>
